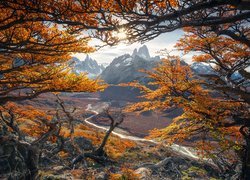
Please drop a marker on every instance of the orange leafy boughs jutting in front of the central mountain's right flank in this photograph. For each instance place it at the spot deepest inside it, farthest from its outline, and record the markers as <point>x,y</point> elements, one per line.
<point>170,79</point>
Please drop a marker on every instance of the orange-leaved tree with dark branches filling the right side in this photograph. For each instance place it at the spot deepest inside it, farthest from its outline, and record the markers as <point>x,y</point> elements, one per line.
<point>218,99</point>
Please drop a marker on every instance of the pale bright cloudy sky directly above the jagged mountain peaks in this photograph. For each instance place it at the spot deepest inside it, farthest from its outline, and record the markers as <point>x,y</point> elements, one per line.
<point>107,54</point>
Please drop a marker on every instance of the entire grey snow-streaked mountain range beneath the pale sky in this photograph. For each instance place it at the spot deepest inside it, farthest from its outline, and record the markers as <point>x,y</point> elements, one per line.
<point>125,68</point>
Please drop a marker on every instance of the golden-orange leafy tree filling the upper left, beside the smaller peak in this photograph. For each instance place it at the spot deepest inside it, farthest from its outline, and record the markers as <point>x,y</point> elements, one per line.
<point>34,58</point>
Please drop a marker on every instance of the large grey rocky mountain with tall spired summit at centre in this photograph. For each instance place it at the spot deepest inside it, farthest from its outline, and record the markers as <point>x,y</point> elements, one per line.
<point>126,68</point>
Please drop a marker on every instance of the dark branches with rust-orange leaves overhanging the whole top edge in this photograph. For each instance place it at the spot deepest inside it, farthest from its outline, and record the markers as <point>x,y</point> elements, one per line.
<point>142,19</point>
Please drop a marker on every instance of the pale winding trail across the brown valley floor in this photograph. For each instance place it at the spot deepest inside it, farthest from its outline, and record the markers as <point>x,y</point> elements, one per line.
<point>187,151</point>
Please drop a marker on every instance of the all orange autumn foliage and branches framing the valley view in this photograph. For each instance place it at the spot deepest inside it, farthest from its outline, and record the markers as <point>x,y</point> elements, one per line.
<point>37,39</point>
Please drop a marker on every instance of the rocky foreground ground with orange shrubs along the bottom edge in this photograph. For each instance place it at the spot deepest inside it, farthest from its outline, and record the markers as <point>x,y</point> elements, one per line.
<point>145,161</point>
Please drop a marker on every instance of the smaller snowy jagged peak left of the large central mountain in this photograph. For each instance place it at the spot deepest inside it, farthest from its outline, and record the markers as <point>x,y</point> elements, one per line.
<point>89,65</point>
